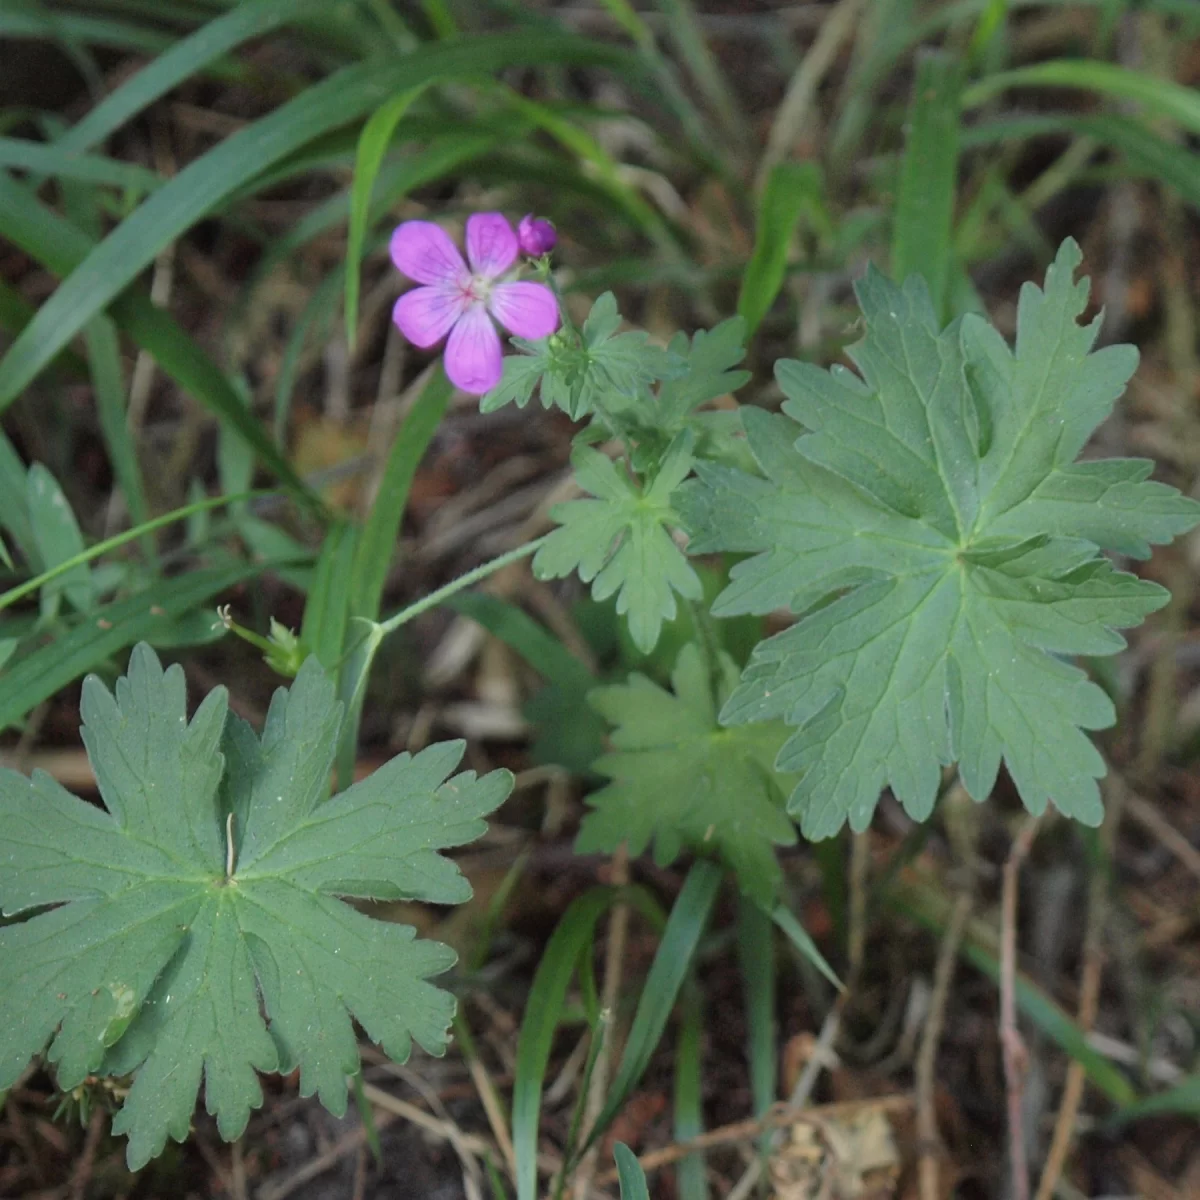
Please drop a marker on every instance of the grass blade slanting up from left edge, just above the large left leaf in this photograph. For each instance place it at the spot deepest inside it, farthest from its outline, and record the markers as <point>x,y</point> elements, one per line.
<point>105,633</point>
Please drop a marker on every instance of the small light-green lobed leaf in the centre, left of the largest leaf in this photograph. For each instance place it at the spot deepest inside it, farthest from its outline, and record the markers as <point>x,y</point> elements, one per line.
<point>620,541</point>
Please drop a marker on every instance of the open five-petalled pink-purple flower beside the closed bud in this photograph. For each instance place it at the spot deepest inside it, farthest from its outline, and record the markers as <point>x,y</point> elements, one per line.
<point>463,303</point>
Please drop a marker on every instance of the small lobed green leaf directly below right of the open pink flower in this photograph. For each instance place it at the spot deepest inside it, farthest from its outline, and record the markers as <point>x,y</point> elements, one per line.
<point>598,370</point>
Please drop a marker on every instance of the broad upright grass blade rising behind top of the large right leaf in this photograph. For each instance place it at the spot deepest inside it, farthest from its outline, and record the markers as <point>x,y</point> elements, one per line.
<point>922,243</point>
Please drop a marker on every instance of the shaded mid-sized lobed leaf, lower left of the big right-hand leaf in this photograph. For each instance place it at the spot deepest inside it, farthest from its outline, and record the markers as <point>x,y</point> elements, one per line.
<point>681,781</point>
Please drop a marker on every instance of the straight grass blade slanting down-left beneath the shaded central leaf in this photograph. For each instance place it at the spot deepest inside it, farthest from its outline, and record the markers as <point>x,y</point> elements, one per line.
<point>687,923</point>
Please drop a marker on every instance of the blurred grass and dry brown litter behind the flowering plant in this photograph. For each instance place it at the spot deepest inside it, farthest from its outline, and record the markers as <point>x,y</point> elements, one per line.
<point>195,203</point>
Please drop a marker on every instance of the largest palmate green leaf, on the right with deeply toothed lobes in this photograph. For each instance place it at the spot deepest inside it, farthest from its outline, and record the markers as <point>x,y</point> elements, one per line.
<point>944,547</point>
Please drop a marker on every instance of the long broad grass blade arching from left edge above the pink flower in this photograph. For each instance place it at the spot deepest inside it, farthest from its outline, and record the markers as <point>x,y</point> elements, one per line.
<point>341,99</point>
